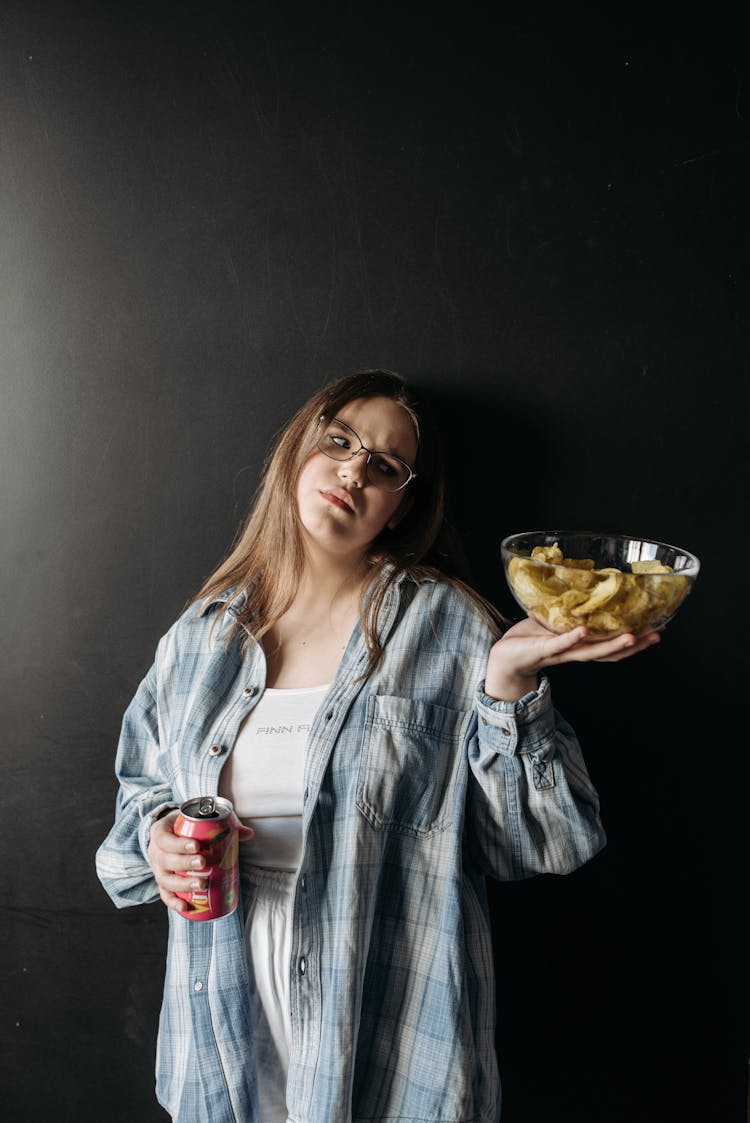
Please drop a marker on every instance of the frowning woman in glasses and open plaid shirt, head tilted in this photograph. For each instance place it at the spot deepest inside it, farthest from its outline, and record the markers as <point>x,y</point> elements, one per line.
<point>415,753</point>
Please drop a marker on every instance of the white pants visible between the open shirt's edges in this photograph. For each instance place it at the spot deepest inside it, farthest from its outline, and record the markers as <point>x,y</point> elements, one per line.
<point>268,897</point>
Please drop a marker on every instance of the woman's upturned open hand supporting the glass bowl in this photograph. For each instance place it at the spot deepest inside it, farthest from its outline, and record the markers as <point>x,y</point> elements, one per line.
<point>527,649</point>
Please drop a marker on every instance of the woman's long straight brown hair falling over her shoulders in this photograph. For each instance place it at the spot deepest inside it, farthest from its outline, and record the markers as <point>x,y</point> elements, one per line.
<point>267,560</point>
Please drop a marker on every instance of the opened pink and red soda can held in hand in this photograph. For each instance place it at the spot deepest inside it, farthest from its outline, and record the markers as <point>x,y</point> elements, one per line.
<point>213,823</point>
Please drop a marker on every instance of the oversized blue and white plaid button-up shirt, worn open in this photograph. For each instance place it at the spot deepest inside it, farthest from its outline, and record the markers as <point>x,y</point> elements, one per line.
<point>417,787</point>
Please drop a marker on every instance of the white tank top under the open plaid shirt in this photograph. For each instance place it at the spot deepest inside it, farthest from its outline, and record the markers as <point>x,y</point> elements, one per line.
<point>264,777</point>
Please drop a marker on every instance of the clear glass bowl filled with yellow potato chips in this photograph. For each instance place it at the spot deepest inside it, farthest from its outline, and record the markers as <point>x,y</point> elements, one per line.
<point>611,583</point>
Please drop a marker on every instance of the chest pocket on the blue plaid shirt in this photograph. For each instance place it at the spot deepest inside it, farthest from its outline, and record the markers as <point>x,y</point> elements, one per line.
<point>411,765</point>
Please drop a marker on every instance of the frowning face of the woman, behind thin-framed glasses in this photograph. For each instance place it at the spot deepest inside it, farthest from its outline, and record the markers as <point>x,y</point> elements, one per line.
<point>341,512</point>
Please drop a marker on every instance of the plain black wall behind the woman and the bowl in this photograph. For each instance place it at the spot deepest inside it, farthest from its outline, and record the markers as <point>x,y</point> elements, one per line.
<point>541,214</point>
